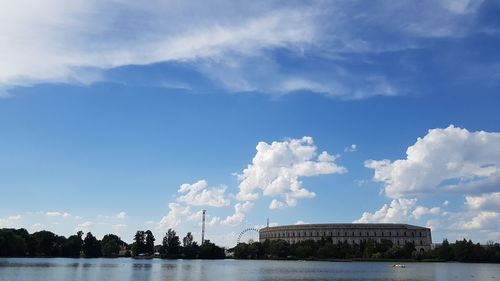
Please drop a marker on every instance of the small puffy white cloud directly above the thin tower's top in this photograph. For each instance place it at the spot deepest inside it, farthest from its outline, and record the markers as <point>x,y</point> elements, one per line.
<point>199,194</point>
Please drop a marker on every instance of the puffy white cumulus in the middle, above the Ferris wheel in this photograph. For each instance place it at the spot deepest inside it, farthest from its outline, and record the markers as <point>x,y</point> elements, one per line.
<point>276,170</point>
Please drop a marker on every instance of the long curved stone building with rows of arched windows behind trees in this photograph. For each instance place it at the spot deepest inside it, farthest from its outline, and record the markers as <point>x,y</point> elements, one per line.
<point>398,234</point>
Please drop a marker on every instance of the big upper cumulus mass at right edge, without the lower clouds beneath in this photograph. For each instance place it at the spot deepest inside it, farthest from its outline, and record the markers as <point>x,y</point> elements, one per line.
<point>445,159</point>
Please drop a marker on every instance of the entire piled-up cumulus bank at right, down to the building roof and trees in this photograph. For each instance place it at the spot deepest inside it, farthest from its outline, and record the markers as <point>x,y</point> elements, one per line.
<point>446,163</point>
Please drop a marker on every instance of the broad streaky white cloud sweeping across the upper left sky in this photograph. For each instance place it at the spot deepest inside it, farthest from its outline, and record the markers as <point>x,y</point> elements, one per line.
<point>64,41</point>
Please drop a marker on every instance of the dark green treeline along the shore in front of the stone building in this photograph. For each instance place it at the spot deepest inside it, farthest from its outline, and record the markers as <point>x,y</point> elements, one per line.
<point>462,251</point>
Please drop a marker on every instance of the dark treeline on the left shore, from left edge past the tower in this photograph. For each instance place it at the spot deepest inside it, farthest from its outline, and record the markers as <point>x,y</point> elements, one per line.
<point>20,243</point>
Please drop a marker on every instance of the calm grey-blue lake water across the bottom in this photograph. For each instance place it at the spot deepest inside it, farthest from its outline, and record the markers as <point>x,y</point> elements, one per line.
<point>12,269</point>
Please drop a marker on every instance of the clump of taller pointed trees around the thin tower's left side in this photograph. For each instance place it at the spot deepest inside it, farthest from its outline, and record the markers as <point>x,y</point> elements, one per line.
<point>173,248</point>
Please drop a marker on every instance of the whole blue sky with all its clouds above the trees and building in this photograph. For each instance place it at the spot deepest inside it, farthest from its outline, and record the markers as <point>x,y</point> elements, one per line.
<point>117,116</point>
